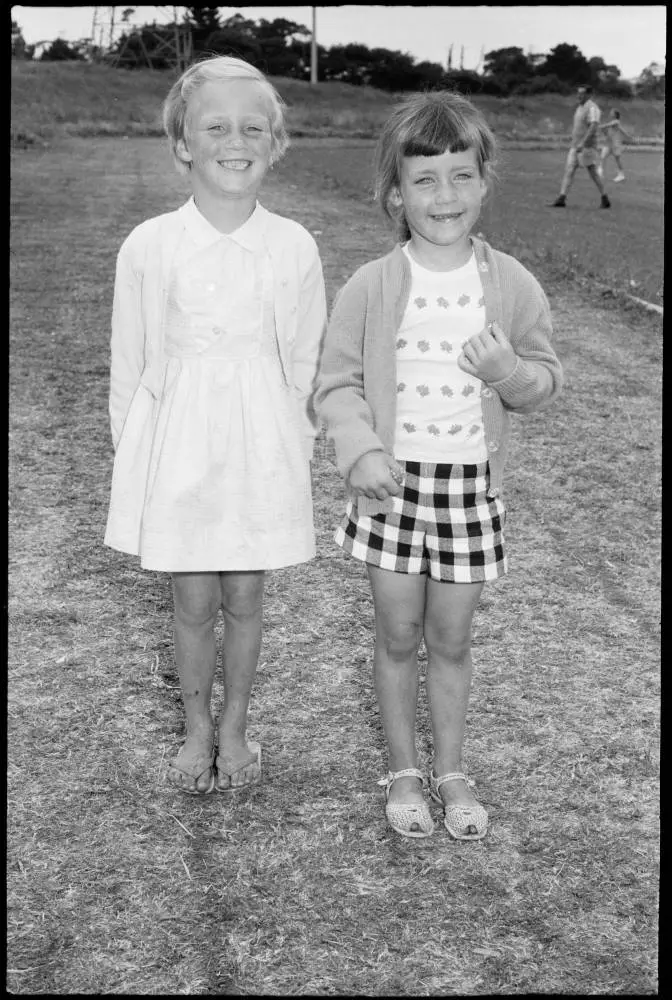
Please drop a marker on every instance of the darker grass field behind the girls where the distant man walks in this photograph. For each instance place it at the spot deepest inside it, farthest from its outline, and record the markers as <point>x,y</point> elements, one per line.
<point>621,249</point>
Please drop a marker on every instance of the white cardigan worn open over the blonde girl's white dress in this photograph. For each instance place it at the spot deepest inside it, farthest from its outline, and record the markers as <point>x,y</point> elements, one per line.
<point>138,314</point>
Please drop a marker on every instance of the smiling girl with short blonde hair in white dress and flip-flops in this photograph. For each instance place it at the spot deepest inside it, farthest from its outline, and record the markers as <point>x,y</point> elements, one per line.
<point>219,310</point>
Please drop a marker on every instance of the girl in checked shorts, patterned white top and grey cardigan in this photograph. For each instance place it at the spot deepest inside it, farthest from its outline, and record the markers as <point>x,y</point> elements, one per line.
<point>428,351</point>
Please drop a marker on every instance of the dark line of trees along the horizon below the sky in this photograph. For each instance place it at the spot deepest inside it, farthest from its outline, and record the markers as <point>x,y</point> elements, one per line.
<point>282,48</point>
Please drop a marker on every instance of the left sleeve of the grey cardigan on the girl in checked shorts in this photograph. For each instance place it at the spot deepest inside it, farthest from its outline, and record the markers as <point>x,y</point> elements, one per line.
<point>340,399</point>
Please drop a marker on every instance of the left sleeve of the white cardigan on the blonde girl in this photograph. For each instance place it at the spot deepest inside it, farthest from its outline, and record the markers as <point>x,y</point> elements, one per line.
<point>127,346</point>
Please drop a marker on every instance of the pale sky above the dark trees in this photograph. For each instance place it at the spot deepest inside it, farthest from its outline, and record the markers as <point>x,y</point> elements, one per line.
<point>631,37</point>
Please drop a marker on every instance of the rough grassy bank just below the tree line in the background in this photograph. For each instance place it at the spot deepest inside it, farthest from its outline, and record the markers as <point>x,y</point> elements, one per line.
<point>73,98</point>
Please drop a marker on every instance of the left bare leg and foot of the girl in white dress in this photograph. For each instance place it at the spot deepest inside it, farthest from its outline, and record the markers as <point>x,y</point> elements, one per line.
<point>196,599</point>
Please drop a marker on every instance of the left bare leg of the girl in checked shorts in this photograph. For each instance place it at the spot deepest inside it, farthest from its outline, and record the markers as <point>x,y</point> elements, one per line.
<point>399,600</point>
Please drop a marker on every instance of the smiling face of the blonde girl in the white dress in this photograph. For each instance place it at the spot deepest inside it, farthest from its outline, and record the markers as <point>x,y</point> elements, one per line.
<point>227,138</point>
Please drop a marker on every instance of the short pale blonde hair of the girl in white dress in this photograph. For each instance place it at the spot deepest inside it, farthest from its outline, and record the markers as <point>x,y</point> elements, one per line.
<point>220,68</point>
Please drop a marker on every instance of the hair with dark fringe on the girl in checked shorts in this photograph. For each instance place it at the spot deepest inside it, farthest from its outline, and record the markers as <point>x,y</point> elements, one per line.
<point>428,124</point>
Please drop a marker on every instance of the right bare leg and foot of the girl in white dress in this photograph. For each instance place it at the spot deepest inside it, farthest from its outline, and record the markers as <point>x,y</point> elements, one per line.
<point>242,596</point>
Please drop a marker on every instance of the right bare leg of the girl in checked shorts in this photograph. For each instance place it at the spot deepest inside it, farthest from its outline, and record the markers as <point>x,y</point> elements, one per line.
<point>447,628</point>
